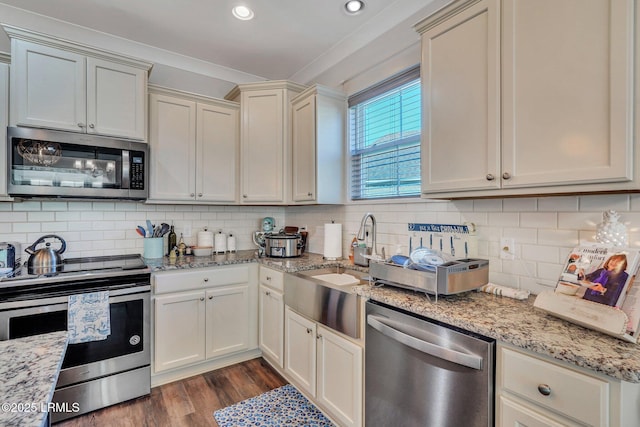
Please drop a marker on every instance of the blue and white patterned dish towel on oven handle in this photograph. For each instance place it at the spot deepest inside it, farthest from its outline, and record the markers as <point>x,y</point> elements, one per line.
<point>88,317</point>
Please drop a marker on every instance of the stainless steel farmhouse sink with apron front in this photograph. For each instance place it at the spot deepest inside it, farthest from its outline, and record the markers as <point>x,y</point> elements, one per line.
<point>325,295</point>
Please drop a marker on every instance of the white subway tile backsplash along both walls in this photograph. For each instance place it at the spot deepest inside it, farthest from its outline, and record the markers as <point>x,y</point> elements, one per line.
<point>544,229</point>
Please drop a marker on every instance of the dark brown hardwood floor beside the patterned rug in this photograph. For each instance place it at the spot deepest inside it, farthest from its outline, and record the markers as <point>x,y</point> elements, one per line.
<point>189,402</point>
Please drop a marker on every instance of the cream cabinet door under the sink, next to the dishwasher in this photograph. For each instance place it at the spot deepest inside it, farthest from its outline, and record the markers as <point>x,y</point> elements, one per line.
<point>340,377</point>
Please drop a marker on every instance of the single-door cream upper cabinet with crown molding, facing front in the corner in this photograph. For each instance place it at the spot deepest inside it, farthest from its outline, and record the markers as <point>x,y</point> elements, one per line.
<point>265,140</point>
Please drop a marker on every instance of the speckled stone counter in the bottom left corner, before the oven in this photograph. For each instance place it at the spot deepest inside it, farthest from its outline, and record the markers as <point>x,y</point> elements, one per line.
<point>29,369</point>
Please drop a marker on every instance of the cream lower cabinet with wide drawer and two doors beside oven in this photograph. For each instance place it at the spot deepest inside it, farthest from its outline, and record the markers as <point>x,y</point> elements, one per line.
<point>203,314</point>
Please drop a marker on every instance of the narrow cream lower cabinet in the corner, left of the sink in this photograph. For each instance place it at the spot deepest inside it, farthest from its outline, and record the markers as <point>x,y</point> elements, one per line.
<point>271,316</point>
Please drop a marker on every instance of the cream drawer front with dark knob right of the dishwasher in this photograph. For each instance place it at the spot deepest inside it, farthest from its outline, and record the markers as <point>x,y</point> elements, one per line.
<point>573,394</point>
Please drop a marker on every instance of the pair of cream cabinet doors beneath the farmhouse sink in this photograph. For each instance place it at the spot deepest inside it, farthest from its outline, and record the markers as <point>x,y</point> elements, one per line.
<point>326,366</point>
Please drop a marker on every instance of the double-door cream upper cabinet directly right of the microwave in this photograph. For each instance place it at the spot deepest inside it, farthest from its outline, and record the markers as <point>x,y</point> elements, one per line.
<point>194,148</point>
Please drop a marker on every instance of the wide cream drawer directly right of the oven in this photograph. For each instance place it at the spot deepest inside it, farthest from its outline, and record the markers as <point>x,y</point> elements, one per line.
<point>199,278</point>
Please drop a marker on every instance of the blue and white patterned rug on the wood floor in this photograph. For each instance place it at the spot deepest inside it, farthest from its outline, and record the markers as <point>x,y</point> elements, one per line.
<point>283,406</point>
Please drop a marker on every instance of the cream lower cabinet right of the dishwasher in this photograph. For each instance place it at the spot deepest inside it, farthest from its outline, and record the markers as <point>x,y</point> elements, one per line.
<point>539,392</point>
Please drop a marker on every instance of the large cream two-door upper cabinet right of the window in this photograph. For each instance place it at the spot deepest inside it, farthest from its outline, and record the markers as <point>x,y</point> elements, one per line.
<point>529,97</point>
